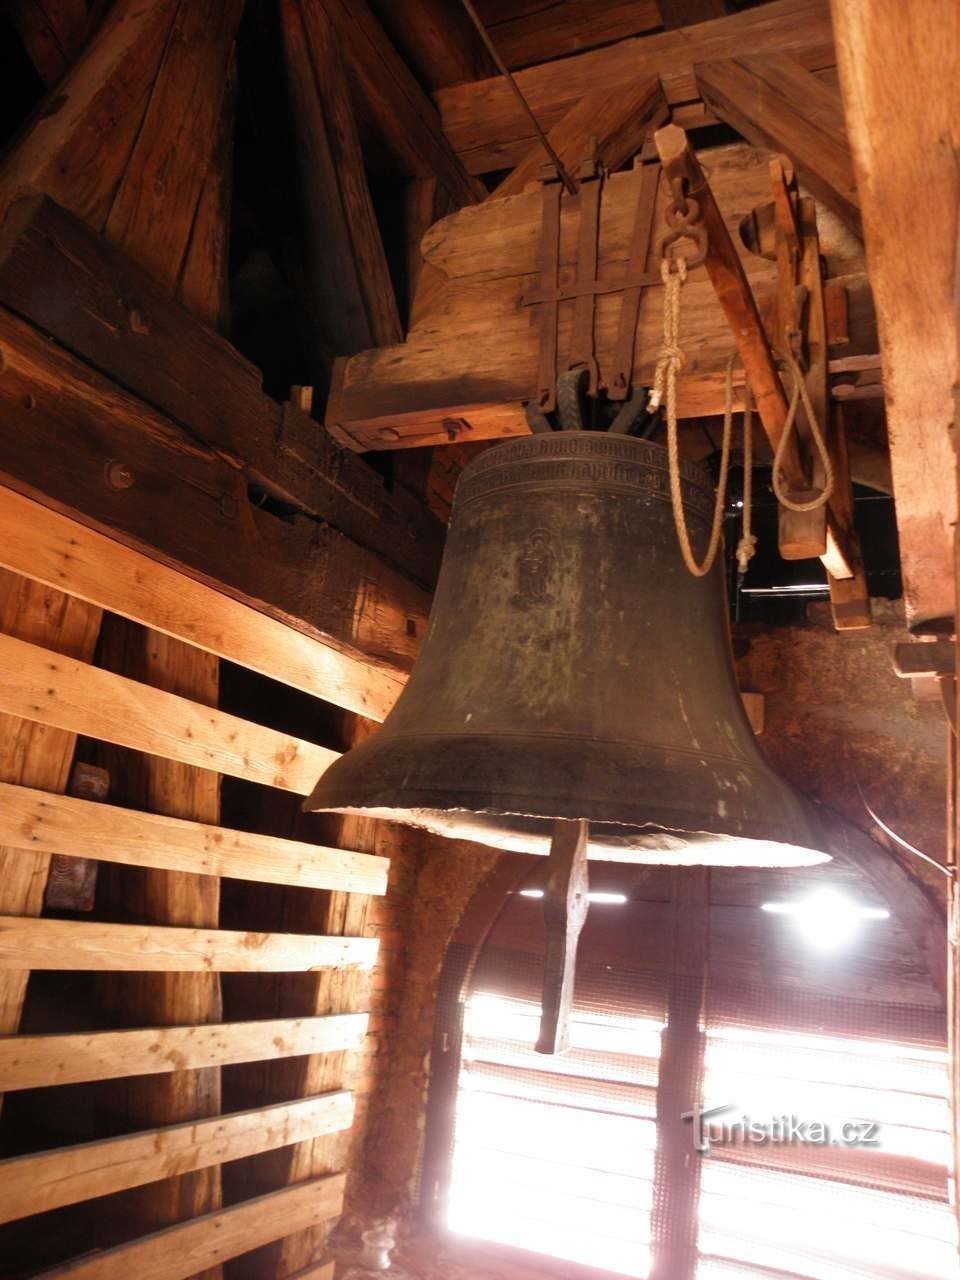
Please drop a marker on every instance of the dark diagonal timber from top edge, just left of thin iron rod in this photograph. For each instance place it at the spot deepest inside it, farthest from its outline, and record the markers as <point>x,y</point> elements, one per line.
<point>405,115</point>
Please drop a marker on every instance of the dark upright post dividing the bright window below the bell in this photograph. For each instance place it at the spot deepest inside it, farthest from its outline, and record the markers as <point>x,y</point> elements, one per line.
<point>680,1082</point>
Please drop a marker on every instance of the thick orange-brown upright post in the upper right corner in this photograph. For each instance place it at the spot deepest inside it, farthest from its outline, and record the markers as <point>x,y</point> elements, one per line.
<point>906,148</point>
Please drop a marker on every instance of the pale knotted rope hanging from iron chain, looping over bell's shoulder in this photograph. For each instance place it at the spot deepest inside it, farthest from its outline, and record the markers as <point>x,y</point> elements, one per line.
<point>665,391</point>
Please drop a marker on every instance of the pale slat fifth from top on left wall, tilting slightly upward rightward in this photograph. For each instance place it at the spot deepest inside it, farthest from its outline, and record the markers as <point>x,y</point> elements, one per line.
<point>42,1062</point>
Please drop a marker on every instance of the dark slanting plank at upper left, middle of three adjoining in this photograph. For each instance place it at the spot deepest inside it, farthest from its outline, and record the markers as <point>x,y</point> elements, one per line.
<point>153,213</point>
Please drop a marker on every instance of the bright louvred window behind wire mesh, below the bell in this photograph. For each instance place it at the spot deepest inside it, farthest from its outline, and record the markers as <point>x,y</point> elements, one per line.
<point>828,1154</point>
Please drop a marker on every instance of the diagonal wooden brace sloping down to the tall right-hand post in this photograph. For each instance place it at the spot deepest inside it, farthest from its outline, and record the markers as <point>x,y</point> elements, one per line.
<point>776,103</point>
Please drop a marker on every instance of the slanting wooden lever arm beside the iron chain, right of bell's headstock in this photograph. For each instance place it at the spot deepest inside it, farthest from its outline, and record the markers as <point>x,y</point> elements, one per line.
<point>729,280</point>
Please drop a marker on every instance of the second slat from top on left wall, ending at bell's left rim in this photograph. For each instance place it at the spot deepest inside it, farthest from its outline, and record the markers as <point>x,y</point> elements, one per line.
<point>52,689</point>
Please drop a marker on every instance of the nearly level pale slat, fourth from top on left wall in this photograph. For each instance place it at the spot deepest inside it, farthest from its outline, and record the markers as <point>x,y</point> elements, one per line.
<point>157,949</point>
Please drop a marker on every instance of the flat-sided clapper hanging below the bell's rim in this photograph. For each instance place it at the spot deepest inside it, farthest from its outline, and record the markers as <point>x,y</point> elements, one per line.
<point>565,906</point>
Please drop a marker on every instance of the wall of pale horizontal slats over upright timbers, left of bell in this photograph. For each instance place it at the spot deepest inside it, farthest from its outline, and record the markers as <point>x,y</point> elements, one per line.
<point>158,957</point>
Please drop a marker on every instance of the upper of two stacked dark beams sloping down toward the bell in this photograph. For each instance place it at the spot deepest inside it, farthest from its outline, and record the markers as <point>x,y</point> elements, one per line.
<point>122,324</point>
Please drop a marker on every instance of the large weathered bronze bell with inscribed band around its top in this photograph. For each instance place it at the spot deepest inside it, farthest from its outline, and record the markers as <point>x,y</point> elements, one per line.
<point>574,669</point>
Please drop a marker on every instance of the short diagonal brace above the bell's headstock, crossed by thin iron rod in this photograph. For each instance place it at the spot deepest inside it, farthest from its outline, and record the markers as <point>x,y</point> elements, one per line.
<point>615,122</point>
